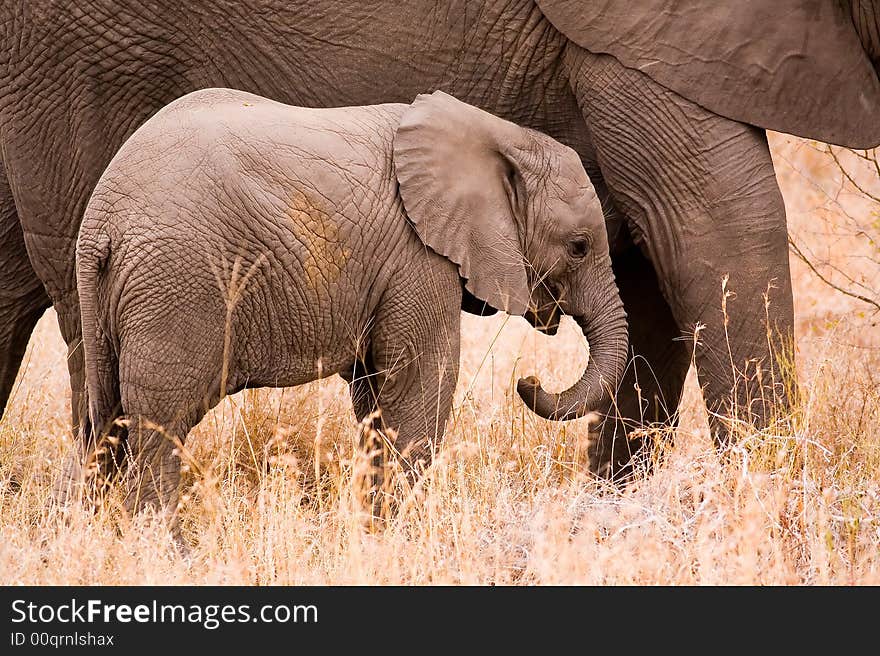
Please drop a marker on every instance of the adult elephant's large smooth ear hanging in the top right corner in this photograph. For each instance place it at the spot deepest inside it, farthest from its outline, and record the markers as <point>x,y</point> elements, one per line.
<point>775,64</point>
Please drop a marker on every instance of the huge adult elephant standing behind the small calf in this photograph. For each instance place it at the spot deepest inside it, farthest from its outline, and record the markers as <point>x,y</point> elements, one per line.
<point>665,103</point>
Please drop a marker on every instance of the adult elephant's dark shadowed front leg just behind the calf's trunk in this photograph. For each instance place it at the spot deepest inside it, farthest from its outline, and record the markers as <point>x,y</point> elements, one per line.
<point>650,391</point>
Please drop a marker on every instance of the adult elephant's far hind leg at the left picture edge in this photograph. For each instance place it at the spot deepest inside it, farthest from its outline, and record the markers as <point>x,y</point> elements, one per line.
<point>22,296</point>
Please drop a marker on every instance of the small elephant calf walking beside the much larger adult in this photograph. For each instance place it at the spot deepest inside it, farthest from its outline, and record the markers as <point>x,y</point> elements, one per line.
<point>235,241</point>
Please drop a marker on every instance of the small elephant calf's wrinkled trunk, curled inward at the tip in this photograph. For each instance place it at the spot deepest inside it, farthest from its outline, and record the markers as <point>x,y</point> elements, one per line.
<point>605,330</point>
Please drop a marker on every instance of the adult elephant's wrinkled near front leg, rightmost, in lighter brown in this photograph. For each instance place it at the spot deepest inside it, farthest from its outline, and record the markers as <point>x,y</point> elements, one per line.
<point>703,204</point>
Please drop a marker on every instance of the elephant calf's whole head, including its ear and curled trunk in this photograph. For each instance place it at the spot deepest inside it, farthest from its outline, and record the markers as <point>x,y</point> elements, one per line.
<point>515,210</point>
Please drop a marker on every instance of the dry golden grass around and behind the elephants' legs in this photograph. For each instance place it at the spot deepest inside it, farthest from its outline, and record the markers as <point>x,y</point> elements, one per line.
<point>509,500</point>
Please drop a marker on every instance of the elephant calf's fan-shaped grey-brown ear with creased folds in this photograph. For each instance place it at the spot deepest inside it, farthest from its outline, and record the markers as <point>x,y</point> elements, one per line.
<point>459,186</point>
